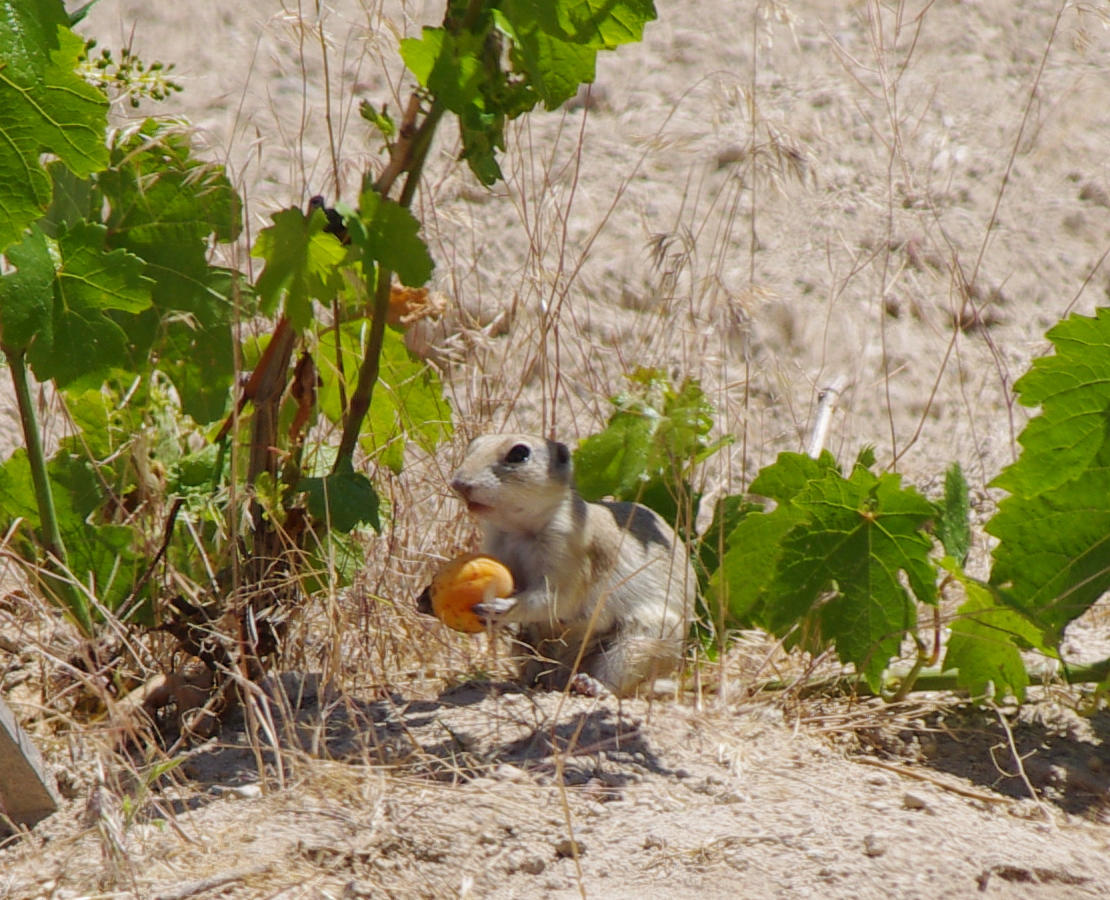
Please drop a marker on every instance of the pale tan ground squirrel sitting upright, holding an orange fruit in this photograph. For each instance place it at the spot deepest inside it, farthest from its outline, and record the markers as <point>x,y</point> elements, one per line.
<point>607,580</point>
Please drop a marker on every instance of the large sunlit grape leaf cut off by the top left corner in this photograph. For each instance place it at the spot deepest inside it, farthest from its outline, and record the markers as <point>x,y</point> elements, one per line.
<point>45,108</point>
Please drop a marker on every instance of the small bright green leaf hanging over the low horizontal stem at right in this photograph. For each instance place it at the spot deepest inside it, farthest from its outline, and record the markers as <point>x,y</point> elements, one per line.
<point>985,643</point>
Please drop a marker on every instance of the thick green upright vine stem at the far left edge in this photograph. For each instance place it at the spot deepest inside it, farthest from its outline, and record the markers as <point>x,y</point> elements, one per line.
<point>44,495</point>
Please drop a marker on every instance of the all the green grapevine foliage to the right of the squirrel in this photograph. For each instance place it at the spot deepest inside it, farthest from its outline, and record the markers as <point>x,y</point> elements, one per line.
<point>851,560</point>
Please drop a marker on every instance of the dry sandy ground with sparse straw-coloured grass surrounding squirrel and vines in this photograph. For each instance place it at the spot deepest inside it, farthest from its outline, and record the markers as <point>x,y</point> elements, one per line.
<point>765,197</point>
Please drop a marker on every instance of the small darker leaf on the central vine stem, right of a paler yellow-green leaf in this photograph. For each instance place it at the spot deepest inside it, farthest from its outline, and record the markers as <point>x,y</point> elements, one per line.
<point>389,235</point>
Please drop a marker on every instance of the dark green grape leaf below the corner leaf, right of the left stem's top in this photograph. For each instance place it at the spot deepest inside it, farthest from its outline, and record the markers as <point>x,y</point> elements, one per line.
<point>84,336</point>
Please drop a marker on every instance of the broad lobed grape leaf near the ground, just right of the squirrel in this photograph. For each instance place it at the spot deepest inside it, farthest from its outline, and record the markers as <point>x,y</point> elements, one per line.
<point>833,555</point>
